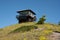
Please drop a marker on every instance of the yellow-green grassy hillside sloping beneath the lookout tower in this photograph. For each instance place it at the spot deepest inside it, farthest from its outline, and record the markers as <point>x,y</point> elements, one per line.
<point>30,31</point>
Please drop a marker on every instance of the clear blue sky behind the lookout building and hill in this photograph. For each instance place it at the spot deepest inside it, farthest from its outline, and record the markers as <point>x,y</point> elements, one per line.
<point>8,9</point>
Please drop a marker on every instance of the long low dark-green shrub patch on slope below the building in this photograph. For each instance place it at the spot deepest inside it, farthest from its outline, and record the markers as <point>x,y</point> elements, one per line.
<point>25,28</point>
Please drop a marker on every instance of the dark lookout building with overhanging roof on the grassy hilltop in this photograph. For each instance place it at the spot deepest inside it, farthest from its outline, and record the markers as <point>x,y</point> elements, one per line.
<point>26,16</point>
